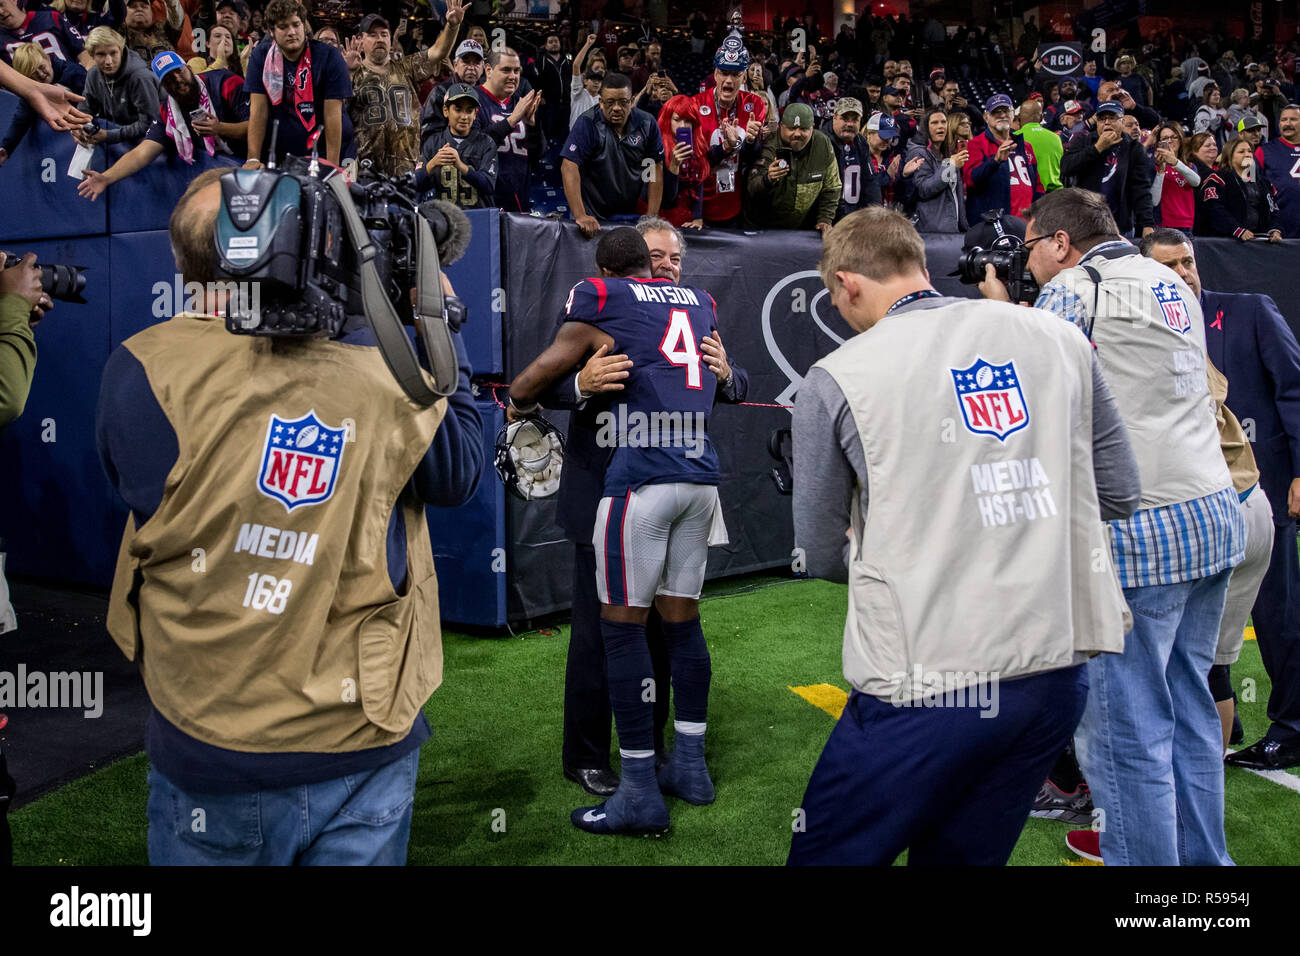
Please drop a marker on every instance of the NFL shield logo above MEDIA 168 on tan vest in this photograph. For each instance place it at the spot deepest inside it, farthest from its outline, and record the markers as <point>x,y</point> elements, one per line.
<point>300,461</point>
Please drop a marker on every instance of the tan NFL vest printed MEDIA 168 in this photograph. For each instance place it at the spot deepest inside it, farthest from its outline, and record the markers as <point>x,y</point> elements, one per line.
<point>284,631</point>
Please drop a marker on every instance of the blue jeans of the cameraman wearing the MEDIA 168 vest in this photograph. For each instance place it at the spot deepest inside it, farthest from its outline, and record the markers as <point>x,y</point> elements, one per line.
<point>356,820</point>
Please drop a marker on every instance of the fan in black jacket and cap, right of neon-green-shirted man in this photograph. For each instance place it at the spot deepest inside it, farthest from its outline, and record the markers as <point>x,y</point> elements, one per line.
<point>1107,162</point>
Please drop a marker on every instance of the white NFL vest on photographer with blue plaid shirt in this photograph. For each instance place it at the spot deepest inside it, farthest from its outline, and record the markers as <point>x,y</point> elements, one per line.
<point>1151,341</point>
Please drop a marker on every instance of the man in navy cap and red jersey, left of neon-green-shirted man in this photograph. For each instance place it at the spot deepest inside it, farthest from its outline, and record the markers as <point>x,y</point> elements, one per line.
<point>1002,171</point>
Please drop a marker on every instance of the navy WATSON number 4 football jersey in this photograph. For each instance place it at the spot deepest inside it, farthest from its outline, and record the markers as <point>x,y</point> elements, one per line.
<point>657,427</point>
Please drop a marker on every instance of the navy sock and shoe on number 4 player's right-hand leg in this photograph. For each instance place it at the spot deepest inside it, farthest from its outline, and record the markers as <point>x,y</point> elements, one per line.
<point>686,775</point>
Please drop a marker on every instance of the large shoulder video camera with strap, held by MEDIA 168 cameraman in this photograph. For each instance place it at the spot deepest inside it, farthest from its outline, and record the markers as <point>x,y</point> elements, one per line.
<point>318,252</point>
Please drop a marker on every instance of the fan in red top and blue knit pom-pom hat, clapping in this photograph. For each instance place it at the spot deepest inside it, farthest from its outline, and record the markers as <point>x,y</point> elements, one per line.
<point>733,122</point>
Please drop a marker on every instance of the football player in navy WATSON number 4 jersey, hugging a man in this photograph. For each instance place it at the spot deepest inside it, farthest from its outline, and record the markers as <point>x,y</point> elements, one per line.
<point>657,517</point>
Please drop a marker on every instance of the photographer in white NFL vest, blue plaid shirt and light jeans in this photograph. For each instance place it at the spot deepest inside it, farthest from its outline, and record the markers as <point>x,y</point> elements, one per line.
<point>1150,743</point>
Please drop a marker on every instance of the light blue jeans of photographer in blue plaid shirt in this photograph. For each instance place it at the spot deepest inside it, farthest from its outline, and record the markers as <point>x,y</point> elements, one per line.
<point>1151,743</point>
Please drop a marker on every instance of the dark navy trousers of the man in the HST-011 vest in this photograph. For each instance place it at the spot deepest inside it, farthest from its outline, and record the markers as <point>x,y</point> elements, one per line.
<point>951,785</point>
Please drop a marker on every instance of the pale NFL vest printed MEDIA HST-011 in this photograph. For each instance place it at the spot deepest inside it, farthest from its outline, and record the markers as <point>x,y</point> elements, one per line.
<point>982,552</point>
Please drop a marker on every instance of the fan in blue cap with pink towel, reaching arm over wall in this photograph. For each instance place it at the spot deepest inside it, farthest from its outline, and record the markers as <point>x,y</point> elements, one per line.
<point>216,98</point>
